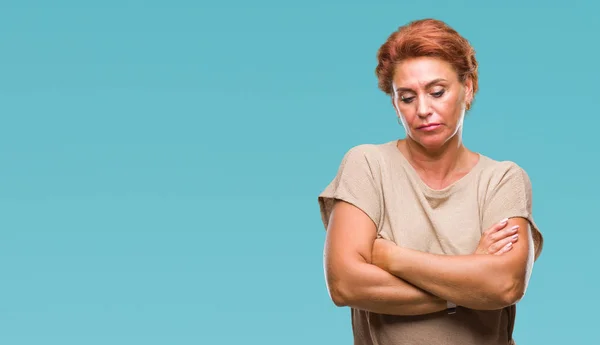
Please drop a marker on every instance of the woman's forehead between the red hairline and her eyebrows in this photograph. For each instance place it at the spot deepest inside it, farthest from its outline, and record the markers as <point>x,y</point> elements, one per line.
<point>417,72</point>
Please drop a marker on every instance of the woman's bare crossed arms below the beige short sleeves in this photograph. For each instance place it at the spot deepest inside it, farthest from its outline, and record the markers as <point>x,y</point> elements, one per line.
<point>373,274</point>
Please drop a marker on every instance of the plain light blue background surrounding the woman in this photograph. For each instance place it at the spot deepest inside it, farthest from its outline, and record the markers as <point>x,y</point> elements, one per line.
<point>160,161</point>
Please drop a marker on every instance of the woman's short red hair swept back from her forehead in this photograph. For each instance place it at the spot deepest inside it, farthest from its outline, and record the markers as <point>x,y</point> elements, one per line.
<point>426,37</point>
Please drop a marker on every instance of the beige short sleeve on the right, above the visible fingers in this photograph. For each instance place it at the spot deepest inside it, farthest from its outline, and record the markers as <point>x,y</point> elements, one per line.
<point>510,196</point>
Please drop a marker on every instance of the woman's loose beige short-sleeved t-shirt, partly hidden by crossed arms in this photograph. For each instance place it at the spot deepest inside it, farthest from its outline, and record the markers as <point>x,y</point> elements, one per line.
<point>378,179</point>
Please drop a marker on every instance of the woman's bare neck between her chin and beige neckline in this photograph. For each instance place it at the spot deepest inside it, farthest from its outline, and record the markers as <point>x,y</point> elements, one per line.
<point>437,164</point>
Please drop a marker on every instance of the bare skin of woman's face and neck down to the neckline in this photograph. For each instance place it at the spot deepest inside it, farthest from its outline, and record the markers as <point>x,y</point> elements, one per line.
<point>428,91</point>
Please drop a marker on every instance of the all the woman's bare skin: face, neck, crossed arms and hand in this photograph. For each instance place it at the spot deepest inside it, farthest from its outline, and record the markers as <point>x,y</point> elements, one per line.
<point>376,275</point>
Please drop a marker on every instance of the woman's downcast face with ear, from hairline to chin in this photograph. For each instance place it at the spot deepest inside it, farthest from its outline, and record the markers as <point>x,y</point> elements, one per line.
<point>430,100</point>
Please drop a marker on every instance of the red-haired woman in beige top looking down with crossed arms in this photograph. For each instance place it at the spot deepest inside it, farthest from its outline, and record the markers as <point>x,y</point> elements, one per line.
<point>427,241</point>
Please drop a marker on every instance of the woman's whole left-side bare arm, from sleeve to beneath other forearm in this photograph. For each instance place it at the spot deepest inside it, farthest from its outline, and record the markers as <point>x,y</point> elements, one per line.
<point>354,281</point>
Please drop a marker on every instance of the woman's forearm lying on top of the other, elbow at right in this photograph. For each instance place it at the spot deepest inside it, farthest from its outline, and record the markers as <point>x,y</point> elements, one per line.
<point>474,281</point>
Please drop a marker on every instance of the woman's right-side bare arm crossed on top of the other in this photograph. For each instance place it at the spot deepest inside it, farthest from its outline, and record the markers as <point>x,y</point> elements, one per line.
<point>483,282</point>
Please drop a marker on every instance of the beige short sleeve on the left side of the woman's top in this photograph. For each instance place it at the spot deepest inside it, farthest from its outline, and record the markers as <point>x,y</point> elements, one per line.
<point>357,182</point>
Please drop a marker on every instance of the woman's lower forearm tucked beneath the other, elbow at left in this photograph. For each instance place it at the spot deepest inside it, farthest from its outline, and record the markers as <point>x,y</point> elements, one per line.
<point>370,288</point>
